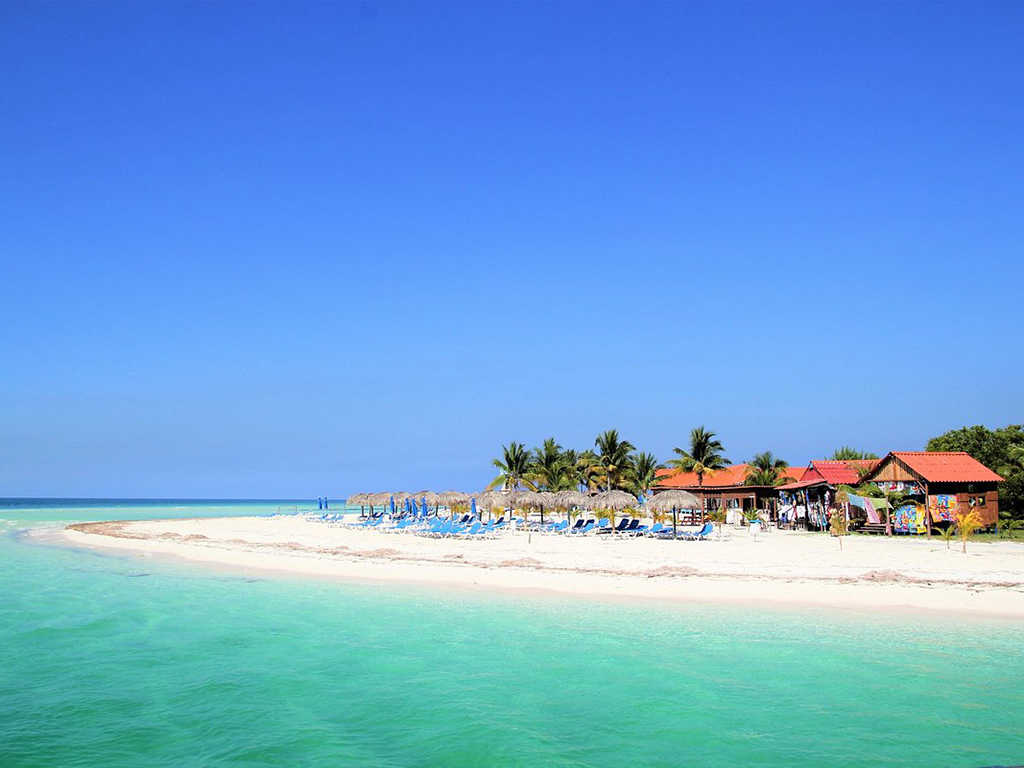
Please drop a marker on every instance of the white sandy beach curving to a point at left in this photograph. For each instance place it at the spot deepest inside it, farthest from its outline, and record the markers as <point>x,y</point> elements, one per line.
<point>871,574</point>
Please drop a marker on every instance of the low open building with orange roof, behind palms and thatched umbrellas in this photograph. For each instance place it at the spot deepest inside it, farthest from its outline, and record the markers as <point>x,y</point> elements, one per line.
<point>727,491</point>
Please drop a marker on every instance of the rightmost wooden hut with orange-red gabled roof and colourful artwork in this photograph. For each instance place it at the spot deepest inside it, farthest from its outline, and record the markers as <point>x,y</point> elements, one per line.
<point>944,483</point>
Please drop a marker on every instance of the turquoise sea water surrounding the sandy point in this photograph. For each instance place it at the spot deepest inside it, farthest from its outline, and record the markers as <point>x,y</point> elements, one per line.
<point>134,662</point>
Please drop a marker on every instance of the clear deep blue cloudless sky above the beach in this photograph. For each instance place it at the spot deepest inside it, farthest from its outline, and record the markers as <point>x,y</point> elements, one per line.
<point>288,250</point>
